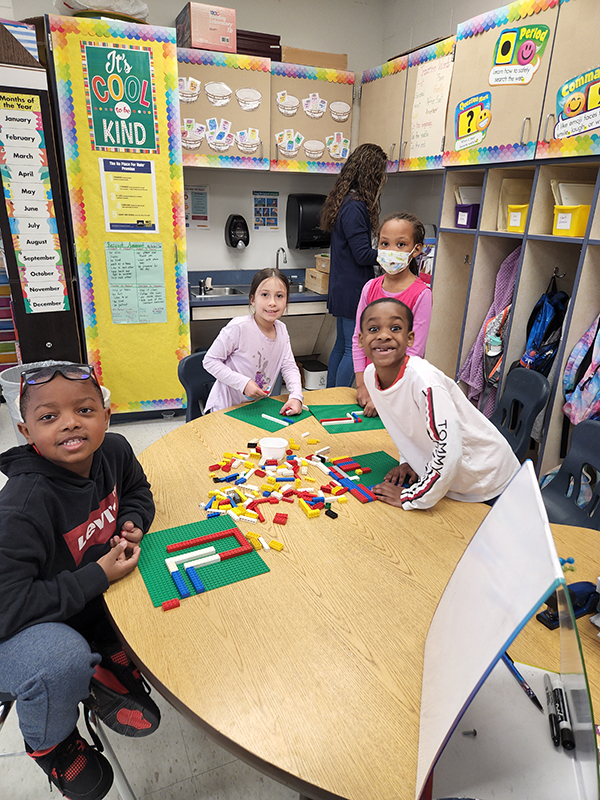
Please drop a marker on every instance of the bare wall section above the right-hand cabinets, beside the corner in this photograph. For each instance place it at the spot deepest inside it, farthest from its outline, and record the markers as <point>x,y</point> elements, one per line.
<point>408,24</point>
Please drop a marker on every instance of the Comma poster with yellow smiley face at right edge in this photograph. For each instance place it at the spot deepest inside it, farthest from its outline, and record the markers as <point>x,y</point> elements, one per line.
<point>578,105</point>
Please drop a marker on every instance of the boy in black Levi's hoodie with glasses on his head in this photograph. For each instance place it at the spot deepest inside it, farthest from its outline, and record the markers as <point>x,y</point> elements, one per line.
<point>72,515</point>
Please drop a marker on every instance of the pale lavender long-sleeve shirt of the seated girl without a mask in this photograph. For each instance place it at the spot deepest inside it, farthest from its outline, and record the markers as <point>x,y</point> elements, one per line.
<point>241,353</point>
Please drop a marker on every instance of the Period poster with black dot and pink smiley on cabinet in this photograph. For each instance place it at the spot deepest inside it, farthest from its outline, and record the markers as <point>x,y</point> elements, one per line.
<point>518,54</point>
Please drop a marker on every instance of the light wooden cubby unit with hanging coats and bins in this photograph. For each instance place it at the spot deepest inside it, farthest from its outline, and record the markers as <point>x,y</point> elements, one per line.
<point>467,264</point>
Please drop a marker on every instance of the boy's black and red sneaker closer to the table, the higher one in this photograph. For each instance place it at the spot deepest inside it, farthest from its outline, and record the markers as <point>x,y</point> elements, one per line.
<point>122,700</point>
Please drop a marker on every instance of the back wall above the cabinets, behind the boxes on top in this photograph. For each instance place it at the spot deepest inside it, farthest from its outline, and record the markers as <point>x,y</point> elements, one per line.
<point>338,26</point>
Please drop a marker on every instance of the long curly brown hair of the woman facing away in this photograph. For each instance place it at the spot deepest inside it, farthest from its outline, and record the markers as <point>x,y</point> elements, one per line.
<point>363,174</point>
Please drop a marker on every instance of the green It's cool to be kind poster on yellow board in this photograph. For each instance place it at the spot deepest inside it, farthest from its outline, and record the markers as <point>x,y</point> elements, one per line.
<point>120,98</point>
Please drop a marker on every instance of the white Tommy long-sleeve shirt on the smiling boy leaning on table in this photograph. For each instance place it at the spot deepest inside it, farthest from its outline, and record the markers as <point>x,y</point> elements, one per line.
<point>451,446</point>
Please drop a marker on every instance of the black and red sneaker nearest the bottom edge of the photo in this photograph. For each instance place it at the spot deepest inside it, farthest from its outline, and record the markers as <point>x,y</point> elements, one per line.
<point>76,768</point>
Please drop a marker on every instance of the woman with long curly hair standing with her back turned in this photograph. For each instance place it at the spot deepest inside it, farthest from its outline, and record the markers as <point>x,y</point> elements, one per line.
<point>351,214</point>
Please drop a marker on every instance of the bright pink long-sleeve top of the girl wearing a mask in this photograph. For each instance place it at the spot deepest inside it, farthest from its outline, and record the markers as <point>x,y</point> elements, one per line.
<point>417,297</point>
